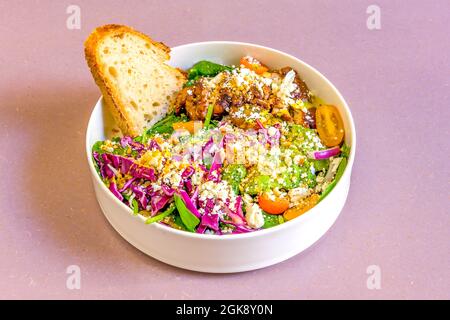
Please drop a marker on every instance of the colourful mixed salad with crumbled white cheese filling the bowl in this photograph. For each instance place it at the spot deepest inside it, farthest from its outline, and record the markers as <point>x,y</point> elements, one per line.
<point>244,148</point>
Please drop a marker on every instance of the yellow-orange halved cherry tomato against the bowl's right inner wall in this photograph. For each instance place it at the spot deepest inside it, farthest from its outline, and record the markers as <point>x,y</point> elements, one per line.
<point>329,125</point>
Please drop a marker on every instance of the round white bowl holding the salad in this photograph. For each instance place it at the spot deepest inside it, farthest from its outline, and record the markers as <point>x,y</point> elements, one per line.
<point>239,252</point>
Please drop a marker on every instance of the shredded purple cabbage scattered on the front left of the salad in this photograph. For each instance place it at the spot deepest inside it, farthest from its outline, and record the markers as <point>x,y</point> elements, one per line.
<point>155,199</point>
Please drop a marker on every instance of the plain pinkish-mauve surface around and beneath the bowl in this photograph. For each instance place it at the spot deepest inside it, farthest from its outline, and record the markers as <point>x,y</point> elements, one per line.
<point>396,81</point>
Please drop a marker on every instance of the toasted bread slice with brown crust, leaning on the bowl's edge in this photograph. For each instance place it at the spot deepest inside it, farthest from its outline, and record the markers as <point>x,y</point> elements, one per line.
<point>131,71</point>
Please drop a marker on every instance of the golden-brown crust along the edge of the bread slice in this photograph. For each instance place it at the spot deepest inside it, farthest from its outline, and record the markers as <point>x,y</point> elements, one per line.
<point>109,94</point>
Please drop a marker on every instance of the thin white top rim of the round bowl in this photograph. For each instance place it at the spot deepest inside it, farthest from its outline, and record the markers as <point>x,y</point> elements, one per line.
<point>257,233</point>
